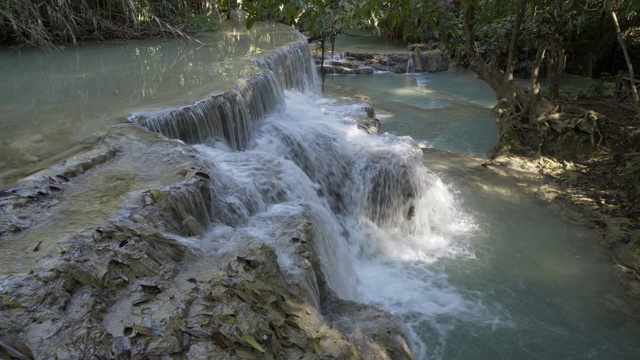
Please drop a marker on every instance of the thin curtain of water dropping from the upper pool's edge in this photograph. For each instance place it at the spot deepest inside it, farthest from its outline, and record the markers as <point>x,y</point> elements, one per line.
<point>233,115</point>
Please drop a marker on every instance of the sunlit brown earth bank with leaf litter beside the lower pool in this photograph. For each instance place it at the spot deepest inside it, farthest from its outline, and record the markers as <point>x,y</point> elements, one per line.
<point>595,184</point>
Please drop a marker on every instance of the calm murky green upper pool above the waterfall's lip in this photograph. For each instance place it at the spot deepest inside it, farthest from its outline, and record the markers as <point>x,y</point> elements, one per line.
<point>55,103</point>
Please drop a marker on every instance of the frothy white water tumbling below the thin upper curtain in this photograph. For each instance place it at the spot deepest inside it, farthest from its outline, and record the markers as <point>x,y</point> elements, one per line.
<point>357,189</point>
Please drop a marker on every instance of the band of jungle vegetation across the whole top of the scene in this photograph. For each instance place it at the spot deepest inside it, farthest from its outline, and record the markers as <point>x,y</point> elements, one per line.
<point>510,44</point>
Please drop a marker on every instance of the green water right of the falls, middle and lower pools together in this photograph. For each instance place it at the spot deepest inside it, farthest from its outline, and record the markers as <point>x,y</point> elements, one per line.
<point>523,282</point>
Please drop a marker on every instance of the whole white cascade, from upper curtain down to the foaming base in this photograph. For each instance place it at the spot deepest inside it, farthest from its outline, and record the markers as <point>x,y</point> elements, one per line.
<point>379,218</point>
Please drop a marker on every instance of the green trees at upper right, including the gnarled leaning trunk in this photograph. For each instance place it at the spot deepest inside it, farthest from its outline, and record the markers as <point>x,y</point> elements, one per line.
<point>501,40</point>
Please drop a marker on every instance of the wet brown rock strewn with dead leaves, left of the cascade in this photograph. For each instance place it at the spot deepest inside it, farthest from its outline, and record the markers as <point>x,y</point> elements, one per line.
<point>108,256</point>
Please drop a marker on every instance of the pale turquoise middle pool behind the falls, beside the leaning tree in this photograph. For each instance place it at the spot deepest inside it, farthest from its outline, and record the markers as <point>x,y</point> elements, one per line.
<point>435,110</point>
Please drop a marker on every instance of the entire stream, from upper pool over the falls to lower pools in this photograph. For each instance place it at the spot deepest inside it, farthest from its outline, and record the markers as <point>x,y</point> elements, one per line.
<point>483,270</point>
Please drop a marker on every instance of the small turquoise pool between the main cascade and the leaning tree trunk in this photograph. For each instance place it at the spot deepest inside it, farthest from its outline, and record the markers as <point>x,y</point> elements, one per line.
<point>429,116</point>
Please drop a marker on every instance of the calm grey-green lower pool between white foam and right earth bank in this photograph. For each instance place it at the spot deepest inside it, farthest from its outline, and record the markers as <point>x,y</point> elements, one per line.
<point>544,274</point>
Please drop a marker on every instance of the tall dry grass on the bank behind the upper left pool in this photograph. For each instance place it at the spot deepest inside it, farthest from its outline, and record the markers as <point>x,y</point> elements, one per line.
<point>46,23</point>
